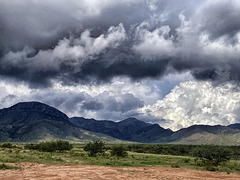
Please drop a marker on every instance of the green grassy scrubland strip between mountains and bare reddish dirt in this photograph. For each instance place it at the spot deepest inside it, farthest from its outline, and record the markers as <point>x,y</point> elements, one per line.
<point>103,157</point>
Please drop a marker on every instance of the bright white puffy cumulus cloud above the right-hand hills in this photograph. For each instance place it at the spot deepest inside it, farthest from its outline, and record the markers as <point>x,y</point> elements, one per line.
<point>197,103</point>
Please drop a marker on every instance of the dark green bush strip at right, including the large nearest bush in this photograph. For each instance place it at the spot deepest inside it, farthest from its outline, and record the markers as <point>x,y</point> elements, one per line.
<point>209,156</point>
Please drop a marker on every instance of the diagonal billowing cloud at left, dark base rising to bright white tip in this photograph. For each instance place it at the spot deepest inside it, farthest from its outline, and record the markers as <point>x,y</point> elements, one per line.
<point>66,57</point>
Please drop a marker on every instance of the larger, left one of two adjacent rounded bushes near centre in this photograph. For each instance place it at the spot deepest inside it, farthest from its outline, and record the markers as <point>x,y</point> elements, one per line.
<point>94,148</point>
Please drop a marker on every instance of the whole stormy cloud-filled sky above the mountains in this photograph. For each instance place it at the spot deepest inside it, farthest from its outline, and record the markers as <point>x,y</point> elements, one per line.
<point>174,62</point>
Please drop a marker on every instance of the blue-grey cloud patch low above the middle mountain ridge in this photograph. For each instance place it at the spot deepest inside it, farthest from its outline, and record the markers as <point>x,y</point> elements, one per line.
<point>115,107</point>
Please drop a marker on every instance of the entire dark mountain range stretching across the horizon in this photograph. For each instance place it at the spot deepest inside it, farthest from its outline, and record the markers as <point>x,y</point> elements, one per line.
<point>35,121</point>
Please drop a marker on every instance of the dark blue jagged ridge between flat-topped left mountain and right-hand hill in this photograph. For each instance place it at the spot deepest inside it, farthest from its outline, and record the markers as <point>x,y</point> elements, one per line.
<point>130,129</point>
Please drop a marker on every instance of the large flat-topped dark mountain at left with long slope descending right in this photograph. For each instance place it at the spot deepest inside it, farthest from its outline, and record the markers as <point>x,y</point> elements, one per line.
<point>34,121</point>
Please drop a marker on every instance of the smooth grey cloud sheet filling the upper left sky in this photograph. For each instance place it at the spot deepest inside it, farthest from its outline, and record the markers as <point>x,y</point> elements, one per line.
<point>40,24</point>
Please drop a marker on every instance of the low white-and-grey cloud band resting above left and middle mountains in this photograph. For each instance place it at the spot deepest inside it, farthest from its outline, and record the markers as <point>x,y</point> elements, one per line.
<point>77,101</point>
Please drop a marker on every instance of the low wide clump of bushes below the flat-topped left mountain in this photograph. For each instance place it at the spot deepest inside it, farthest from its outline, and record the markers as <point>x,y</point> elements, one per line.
<point>51,146</point>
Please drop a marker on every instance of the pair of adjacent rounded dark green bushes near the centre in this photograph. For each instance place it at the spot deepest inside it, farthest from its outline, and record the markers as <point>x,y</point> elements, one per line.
<point>97,148</point>
